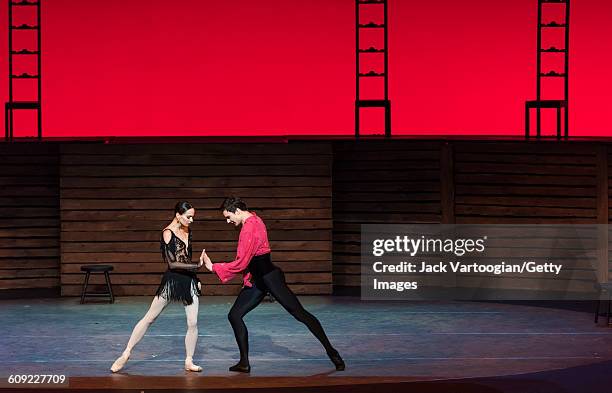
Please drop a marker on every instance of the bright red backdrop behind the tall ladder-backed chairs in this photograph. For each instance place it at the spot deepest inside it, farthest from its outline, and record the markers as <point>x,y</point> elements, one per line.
<point>274,67</point>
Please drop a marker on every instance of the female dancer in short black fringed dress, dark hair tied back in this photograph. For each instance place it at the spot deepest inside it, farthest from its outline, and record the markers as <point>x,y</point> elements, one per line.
<point>179,282</point>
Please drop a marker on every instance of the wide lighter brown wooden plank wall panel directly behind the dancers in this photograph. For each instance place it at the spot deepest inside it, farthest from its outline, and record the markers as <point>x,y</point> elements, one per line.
<point>115,199</point>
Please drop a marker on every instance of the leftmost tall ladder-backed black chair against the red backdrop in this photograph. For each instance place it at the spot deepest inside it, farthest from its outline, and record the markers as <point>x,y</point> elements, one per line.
<point>15,28</point>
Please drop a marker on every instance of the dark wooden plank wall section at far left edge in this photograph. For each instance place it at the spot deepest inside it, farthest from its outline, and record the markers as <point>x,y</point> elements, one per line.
<point>29,216</point>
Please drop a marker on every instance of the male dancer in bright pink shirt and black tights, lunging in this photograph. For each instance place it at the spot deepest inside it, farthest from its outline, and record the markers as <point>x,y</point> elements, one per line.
<point>259,276</point>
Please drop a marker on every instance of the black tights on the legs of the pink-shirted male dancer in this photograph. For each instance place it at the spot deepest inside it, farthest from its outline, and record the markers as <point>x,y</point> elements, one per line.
<point>249,298</point>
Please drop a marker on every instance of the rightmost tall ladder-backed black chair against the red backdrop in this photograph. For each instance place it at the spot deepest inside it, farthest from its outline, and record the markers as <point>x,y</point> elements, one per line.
<point>558,104</point>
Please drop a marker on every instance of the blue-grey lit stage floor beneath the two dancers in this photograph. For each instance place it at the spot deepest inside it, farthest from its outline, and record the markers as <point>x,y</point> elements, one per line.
<point>380,342</point>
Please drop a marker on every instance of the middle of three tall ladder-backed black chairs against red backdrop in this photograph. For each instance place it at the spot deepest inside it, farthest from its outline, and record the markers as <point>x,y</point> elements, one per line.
<point>382,102</point>
